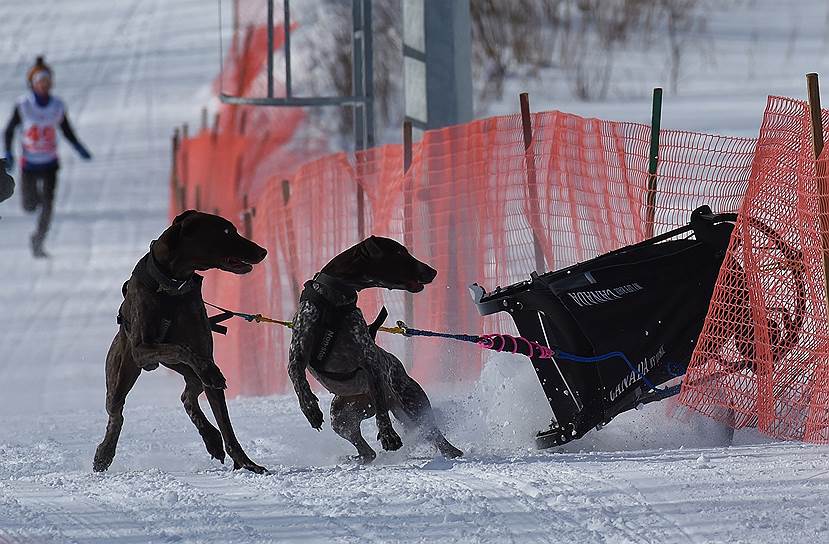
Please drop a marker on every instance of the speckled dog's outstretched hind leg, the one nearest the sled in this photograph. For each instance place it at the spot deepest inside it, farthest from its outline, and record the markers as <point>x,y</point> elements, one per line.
<point>412,406</point>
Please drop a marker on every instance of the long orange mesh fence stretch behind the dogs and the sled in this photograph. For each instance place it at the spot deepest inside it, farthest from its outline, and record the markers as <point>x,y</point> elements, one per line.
<point>464,206</point>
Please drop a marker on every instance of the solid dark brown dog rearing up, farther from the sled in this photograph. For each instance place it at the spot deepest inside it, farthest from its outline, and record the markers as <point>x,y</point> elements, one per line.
<point>163,320</point>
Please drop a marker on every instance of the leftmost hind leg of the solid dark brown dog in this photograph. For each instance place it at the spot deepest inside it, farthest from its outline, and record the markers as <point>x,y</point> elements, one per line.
<point>121,375</point>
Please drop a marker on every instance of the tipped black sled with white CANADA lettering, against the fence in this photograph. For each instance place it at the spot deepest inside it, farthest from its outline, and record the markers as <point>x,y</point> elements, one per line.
<point>626,322</point>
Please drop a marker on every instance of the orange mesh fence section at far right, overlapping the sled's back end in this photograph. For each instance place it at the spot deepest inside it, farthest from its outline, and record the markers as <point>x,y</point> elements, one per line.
<point>761,359</point>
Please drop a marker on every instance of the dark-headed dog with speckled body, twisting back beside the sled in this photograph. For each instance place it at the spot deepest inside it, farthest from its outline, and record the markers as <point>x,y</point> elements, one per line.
<point>332,340</point>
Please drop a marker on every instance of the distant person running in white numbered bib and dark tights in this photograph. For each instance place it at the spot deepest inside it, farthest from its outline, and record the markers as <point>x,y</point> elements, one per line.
<point>40,114</point>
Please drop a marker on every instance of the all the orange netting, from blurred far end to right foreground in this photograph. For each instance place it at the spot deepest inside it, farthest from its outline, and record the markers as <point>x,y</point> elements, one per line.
<point>478,207</point>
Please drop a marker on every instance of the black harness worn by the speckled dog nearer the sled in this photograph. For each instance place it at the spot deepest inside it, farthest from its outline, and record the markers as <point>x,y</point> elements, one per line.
<point>332,316</point>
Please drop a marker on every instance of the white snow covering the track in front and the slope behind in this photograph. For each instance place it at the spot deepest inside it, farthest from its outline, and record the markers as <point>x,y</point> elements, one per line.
<point>131,70</point>
